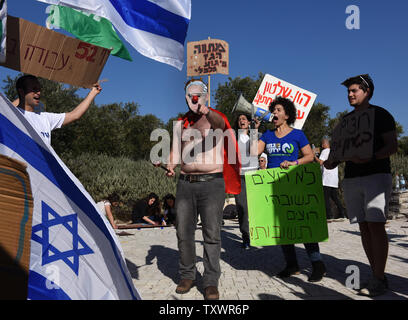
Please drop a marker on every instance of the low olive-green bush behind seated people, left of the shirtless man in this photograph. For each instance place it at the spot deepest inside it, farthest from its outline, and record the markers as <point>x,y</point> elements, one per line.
<point>103,175</point>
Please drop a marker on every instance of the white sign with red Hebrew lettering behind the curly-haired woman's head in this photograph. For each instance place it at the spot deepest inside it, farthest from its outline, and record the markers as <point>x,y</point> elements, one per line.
<point>272,87</point>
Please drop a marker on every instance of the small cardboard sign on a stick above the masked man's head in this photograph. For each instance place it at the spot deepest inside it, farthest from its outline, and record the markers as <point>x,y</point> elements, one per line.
<point>207,57</point>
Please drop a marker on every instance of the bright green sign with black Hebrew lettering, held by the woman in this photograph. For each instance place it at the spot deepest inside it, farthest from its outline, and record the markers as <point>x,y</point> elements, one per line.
<point>286,206</point>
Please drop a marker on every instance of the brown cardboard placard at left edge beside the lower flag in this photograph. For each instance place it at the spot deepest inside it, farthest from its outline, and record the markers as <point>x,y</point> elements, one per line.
<point>16,210</point>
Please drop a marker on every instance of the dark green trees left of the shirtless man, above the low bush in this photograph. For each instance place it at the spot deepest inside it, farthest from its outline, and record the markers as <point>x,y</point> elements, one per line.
<point>116,129</point>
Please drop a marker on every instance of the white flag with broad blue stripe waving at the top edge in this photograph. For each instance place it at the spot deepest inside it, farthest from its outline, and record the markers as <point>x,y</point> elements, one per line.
<point>155,28</point>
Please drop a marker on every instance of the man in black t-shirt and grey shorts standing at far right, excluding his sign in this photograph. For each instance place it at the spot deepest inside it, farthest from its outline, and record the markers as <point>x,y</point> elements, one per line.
<point>368,183</point>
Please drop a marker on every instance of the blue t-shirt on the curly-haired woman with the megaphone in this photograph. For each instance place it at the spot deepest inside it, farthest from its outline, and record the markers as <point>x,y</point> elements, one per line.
<point>281,149</point>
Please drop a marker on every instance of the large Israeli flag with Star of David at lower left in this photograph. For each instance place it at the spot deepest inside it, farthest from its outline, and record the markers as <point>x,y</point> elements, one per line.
<point>75,253</point>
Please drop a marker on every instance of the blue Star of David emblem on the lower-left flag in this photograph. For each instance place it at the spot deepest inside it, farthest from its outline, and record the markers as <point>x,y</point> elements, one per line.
<point>50,253</point>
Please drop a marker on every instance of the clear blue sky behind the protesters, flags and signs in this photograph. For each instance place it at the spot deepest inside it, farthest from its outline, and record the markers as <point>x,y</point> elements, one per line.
<point>303,42</point>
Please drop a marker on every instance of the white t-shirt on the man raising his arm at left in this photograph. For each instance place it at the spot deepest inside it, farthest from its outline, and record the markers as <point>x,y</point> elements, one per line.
<point>44,122</point>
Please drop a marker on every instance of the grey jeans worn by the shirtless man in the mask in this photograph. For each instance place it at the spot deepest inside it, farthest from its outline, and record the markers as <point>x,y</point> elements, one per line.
<point>206,198</point>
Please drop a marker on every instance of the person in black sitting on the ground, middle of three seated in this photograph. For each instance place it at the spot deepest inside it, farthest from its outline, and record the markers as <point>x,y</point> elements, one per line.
<point>146,210</point>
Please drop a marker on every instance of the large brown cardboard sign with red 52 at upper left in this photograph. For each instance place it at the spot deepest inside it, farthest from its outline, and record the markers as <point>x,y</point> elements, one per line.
<point>51,55</point>
